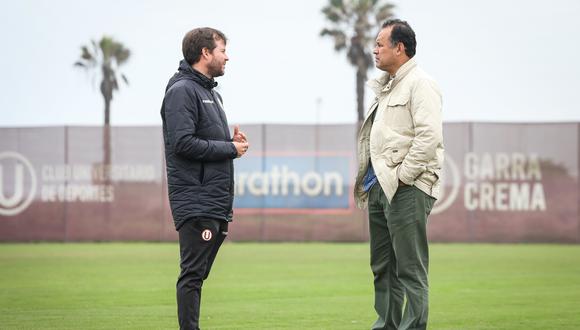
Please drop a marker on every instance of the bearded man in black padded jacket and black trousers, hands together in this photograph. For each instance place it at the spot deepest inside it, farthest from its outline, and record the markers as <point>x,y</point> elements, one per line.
<point>199,153</point>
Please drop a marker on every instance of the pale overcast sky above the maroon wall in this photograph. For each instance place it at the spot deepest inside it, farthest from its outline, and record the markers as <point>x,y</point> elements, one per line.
<point>494,60</point>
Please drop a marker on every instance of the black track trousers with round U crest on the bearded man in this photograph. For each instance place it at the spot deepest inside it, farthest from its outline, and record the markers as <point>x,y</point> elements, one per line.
<point>199,240</point>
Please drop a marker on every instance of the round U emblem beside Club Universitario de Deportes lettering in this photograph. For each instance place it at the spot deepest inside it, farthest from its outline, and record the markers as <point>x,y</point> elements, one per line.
<point>17,183</point>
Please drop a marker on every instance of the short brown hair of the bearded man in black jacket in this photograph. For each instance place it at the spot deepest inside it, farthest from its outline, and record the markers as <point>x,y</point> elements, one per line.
<point>198,39</point>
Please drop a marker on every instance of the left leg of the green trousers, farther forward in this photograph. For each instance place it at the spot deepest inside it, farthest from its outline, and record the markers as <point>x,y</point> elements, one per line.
<point>388,290</point>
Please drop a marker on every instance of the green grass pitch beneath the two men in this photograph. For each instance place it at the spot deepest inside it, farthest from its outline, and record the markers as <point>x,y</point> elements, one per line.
<point>281,286</point>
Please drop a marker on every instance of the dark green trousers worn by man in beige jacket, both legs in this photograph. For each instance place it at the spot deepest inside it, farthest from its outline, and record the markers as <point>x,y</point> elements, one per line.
<point>400,257</point>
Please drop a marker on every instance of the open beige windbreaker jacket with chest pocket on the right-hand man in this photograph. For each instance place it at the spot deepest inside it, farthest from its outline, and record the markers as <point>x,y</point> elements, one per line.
<point>402,134</point>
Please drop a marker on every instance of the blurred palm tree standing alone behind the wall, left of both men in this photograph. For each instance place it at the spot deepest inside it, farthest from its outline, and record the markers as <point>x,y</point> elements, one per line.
<point>107,55</point>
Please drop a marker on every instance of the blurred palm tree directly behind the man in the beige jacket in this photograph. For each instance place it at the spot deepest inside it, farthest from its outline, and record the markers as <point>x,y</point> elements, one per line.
<point>352,24</point>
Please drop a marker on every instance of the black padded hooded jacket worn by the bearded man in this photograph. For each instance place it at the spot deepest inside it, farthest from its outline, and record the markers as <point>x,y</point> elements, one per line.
<point>199,151</point>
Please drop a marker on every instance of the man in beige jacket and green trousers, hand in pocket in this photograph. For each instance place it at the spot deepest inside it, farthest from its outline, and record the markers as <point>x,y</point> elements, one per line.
<point>400,160</point>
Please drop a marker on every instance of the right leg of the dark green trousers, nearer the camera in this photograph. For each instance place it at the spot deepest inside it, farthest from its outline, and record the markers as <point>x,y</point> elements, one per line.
<point>407,222</point>
